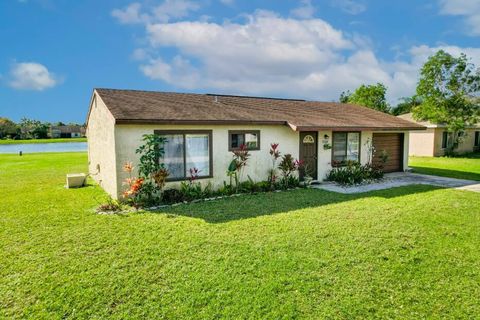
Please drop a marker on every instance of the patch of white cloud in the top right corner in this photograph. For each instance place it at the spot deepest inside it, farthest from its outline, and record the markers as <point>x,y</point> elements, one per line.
<point>469,9</point>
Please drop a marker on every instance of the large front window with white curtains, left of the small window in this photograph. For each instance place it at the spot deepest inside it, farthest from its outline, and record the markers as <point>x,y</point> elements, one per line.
<point>186,150</point>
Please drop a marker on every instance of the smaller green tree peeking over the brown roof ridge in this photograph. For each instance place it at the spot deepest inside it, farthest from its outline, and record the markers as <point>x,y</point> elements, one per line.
<point>371,96</point>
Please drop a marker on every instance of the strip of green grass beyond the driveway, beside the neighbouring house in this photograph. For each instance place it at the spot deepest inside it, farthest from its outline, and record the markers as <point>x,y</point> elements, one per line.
<point>467,167</point>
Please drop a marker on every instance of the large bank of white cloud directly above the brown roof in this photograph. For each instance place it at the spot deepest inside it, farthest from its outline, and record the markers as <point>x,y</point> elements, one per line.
<point>267,54</point>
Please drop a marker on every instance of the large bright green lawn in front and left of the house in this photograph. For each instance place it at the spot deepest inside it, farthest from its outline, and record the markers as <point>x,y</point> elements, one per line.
<point>404,253</point>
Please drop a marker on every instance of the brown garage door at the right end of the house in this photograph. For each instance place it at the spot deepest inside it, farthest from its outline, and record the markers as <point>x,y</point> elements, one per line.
<point>392,144</point>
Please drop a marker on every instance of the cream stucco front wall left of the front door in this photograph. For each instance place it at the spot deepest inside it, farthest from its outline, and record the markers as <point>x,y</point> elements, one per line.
<point>129,137</point>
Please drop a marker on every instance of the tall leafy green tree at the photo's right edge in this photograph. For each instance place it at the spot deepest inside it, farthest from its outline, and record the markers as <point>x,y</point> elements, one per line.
<point>449,88</point>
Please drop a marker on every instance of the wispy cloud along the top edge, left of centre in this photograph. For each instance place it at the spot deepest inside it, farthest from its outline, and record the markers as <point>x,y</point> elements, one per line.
<point>164,12</point>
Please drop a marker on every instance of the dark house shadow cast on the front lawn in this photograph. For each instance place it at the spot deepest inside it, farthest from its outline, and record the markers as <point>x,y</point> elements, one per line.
<point>251,206</point>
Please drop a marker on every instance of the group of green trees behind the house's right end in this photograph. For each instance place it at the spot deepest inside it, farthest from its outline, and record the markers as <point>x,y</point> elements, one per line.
<point>448,93</point>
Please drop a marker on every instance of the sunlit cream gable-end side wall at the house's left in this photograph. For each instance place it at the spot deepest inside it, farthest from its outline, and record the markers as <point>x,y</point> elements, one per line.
<point>101,146</point>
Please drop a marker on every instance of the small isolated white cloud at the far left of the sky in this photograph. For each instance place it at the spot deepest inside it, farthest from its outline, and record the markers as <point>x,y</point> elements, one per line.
<point>31,76</point>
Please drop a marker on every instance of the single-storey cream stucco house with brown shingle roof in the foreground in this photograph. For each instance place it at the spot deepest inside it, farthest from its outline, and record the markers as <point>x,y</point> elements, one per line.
<point>203,129</point>
